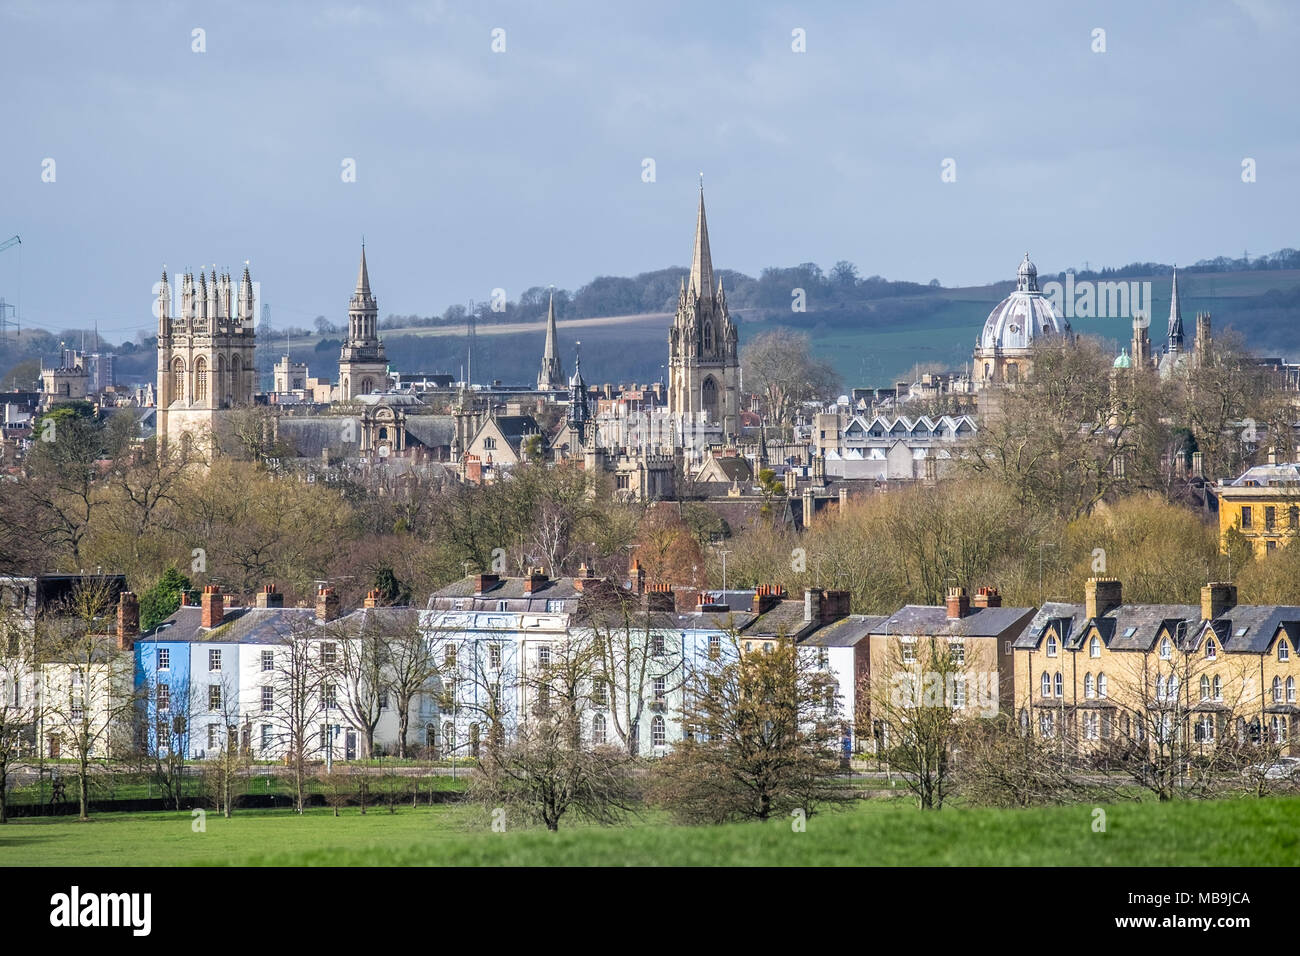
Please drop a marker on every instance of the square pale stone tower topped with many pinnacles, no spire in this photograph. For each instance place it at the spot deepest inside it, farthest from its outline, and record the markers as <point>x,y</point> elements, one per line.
<point>206,357</point>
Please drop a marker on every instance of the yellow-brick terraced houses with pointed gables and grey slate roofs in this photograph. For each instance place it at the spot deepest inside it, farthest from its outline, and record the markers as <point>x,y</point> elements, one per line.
<point>1104,676</point>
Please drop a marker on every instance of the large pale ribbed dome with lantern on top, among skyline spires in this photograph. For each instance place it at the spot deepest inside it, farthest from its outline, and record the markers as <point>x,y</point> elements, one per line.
<point>1004,351</point>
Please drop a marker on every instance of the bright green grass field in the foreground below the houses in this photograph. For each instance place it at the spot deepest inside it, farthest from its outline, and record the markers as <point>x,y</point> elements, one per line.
<point>883,833</point>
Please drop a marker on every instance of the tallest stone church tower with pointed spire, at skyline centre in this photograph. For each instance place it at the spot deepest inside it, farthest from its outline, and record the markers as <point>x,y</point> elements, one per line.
<point>704,369</point>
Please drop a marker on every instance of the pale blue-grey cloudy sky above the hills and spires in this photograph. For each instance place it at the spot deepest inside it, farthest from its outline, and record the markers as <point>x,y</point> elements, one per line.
<point>526,166</point>
